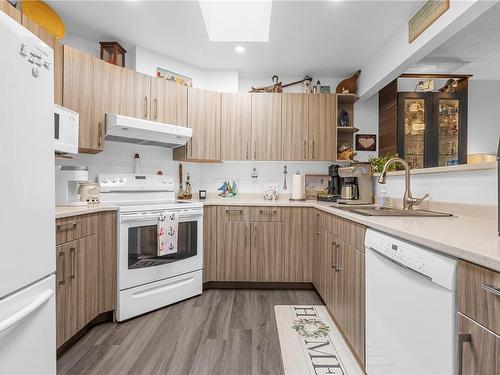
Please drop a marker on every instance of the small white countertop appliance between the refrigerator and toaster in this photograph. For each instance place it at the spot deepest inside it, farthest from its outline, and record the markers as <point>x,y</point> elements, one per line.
<point>68,179</point>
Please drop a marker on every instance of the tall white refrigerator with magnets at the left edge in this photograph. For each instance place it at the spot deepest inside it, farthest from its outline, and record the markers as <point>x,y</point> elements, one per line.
<point>27,219</point>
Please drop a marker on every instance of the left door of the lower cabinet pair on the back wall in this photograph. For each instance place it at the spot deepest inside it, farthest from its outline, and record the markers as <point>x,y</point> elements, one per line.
<point>233,251</point>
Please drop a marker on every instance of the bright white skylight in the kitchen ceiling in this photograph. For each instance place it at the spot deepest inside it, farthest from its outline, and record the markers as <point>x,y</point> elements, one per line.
<point>238,20</point>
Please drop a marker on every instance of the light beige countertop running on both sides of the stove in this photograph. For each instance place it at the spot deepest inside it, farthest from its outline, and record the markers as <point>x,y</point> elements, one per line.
<point>469,238</point>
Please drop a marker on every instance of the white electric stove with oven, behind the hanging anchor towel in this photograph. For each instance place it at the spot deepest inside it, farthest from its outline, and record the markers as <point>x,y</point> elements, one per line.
<point>146,281</point>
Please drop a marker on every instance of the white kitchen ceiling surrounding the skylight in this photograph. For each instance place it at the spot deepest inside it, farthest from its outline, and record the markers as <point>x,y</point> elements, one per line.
<point>320,38</point>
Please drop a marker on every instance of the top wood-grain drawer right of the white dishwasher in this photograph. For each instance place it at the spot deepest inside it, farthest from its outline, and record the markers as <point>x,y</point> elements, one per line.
<point>479,295</point>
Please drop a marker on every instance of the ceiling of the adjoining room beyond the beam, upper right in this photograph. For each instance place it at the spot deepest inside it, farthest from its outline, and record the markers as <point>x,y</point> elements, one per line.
<point>473,50</point>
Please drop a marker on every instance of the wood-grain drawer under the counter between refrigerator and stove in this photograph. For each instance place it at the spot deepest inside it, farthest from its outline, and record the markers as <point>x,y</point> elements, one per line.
<point>75,227</point>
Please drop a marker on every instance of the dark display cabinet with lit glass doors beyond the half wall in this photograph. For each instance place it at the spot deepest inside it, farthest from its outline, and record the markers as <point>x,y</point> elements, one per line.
<point>432,129</point>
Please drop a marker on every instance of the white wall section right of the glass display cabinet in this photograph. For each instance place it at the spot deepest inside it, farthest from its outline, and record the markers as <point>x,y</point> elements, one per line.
<point>483,116</point>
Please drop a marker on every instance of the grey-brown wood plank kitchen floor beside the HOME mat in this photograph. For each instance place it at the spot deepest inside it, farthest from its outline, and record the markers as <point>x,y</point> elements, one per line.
<point>220,332</point>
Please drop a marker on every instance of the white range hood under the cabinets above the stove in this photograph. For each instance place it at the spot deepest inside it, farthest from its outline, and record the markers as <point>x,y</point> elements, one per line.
<point>144,132</point>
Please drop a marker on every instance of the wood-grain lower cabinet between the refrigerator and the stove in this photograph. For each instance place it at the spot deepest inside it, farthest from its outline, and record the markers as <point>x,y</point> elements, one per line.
<point>85,271</point>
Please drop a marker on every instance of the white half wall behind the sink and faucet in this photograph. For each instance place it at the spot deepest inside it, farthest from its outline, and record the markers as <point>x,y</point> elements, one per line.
<point>469,187</point>
